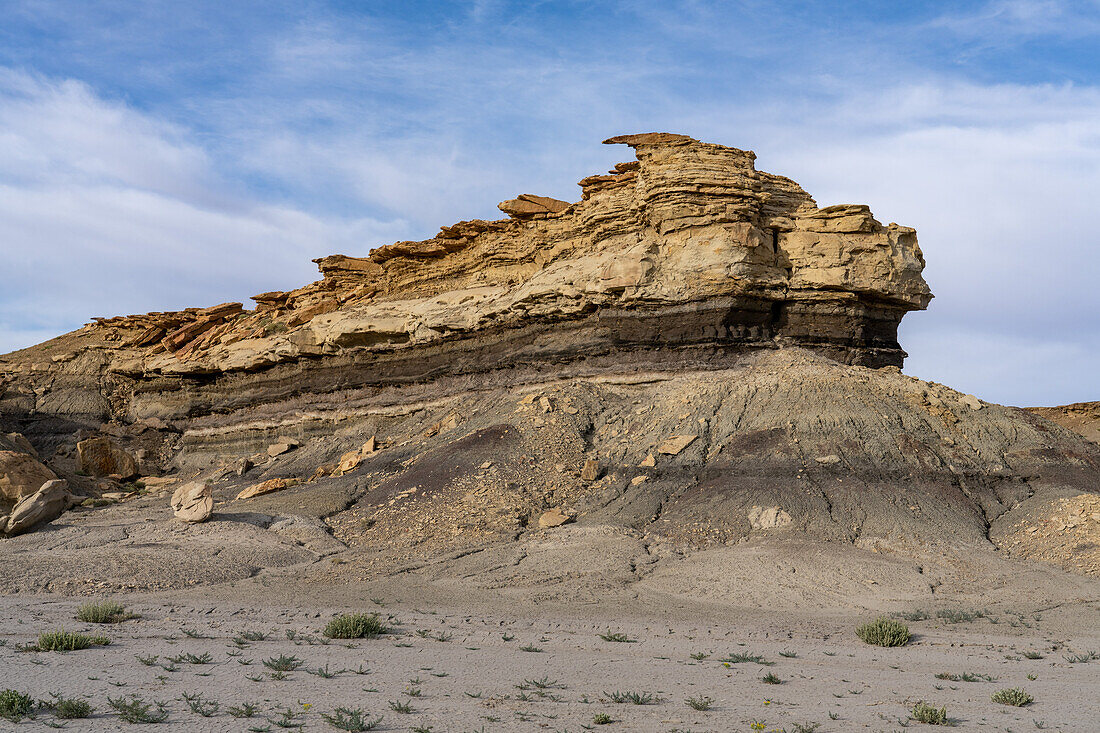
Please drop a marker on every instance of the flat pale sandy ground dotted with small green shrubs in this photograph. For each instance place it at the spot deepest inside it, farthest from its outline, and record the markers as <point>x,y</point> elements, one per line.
<point>512,666</point>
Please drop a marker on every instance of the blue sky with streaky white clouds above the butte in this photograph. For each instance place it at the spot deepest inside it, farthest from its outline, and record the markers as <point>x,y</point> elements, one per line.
<point>157,156</point>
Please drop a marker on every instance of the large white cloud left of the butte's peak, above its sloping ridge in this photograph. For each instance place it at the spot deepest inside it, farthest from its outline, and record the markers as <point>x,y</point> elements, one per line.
<point>106,211</point>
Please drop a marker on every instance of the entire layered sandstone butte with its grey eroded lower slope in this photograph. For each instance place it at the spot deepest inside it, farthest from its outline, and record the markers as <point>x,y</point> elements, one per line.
<point>695,352</point>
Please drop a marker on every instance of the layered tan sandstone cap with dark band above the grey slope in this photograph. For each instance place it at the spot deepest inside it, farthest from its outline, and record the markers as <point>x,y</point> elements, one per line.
<point>687,258</point>
